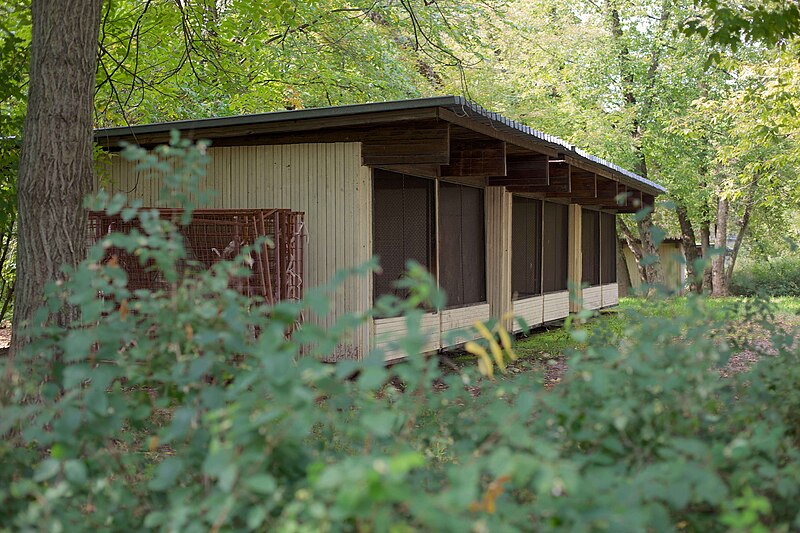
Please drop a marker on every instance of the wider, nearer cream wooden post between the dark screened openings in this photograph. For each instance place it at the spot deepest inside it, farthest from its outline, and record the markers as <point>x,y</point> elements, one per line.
<point>498,252</point>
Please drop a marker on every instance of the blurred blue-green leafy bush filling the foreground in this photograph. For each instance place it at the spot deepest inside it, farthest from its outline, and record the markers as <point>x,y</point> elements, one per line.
<point>166,412</point>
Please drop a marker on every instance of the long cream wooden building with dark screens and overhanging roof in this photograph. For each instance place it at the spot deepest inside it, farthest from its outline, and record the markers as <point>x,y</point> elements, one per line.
<point>504,216</point>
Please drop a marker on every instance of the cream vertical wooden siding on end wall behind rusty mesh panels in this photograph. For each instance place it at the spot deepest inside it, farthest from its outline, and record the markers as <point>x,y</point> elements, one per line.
<point>326,181</point>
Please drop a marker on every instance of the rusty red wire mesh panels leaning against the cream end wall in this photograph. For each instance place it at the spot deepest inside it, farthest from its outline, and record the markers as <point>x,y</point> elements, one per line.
<point>213,235</point>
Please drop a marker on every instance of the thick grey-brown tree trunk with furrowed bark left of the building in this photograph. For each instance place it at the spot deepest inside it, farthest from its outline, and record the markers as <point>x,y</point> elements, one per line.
<point>56,166</point>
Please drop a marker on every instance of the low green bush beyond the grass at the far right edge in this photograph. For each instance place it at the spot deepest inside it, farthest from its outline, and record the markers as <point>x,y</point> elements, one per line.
<point>777,277</point>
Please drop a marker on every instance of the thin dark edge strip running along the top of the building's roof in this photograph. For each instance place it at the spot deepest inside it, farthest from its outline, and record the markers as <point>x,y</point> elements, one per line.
<point>456,104</point>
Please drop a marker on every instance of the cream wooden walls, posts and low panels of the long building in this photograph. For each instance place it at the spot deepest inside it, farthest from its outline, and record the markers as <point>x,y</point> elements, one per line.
<point>328,182</point>
